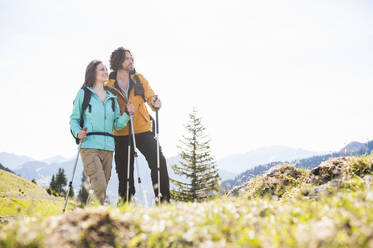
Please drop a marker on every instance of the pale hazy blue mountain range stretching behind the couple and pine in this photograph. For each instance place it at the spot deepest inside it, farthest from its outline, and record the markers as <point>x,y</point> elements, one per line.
<point>229,167</point>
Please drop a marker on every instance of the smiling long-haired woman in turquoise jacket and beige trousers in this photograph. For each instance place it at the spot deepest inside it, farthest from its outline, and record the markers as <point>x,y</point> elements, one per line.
<point>96,132</point>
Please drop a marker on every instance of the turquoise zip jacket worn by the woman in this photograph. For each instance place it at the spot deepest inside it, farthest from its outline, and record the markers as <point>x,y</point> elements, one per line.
<point>99,118</point>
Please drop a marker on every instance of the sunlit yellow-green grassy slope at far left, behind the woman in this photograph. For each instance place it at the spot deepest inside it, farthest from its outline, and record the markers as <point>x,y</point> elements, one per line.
<point>21,197</point>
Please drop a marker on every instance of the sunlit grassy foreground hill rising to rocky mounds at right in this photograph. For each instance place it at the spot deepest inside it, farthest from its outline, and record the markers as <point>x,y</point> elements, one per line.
<point>329,206</point>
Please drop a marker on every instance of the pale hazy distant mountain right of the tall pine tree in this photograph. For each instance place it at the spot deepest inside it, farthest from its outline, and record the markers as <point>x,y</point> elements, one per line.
<point>239,163</point>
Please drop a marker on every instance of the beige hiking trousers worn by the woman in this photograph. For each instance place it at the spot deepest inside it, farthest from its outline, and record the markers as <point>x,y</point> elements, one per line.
<point>97,167</point>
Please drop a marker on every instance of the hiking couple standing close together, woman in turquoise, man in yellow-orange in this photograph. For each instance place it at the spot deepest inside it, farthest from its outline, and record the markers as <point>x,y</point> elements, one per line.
<point>105,125</point>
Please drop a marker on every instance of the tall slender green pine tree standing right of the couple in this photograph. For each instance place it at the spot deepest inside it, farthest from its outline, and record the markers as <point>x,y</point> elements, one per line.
<point>196,165</point>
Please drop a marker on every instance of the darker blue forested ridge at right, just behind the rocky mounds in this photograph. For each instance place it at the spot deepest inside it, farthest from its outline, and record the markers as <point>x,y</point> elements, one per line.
<point>353,148</point>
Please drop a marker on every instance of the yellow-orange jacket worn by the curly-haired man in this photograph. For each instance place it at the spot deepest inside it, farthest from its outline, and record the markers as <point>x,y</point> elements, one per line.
<point>139,92</point>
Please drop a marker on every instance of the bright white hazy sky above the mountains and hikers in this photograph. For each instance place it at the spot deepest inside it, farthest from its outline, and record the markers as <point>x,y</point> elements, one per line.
<point>261,73</point>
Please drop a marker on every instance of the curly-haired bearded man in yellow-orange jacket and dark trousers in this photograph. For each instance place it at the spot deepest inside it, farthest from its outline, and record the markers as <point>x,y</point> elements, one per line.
<point>131,86</point>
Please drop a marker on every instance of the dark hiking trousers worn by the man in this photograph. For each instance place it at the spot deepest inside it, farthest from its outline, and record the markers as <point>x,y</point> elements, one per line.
<point>147,145</point>
